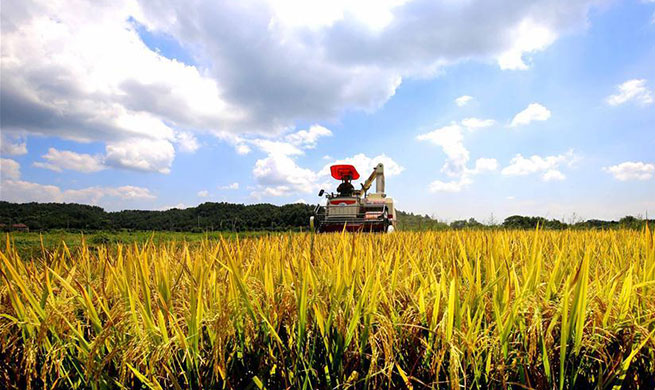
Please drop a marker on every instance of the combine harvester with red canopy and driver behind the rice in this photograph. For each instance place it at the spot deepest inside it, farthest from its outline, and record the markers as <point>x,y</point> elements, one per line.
<point>355,210</point>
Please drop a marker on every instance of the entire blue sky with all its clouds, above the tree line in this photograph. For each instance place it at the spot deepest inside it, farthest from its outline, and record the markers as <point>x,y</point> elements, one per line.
<point>127,105</point>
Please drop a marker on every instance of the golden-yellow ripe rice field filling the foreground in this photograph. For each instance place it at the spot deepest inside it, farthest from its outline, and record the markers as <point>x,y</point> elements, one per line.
<point>451,309</point>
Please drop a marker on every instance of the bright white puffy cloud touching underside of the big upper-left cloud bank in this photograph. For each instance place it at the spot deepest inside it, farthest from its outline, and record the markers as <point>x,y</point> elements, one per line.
<point>141,154</point>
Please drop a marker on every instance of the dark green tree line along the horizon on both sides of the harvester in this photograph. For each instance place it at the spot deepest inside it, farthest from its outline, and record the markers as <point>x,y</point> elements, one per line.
<point>224,216</point>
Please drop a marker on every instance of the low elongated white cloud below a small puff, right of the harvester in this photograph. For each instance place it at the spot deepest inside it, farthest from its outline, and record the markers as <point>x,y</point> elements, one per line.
<point>548,166</point>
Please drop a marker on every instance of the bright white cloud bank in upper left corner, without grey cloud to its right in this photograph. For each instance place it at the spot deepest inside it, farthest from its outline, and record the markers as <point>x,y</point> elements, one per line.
<point>104,84</point>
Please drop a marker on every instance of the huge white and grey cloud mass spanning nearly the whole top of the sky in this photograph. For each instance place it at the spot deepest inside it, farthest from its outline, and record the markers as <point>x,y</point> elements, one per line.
<point>258,68</point>
